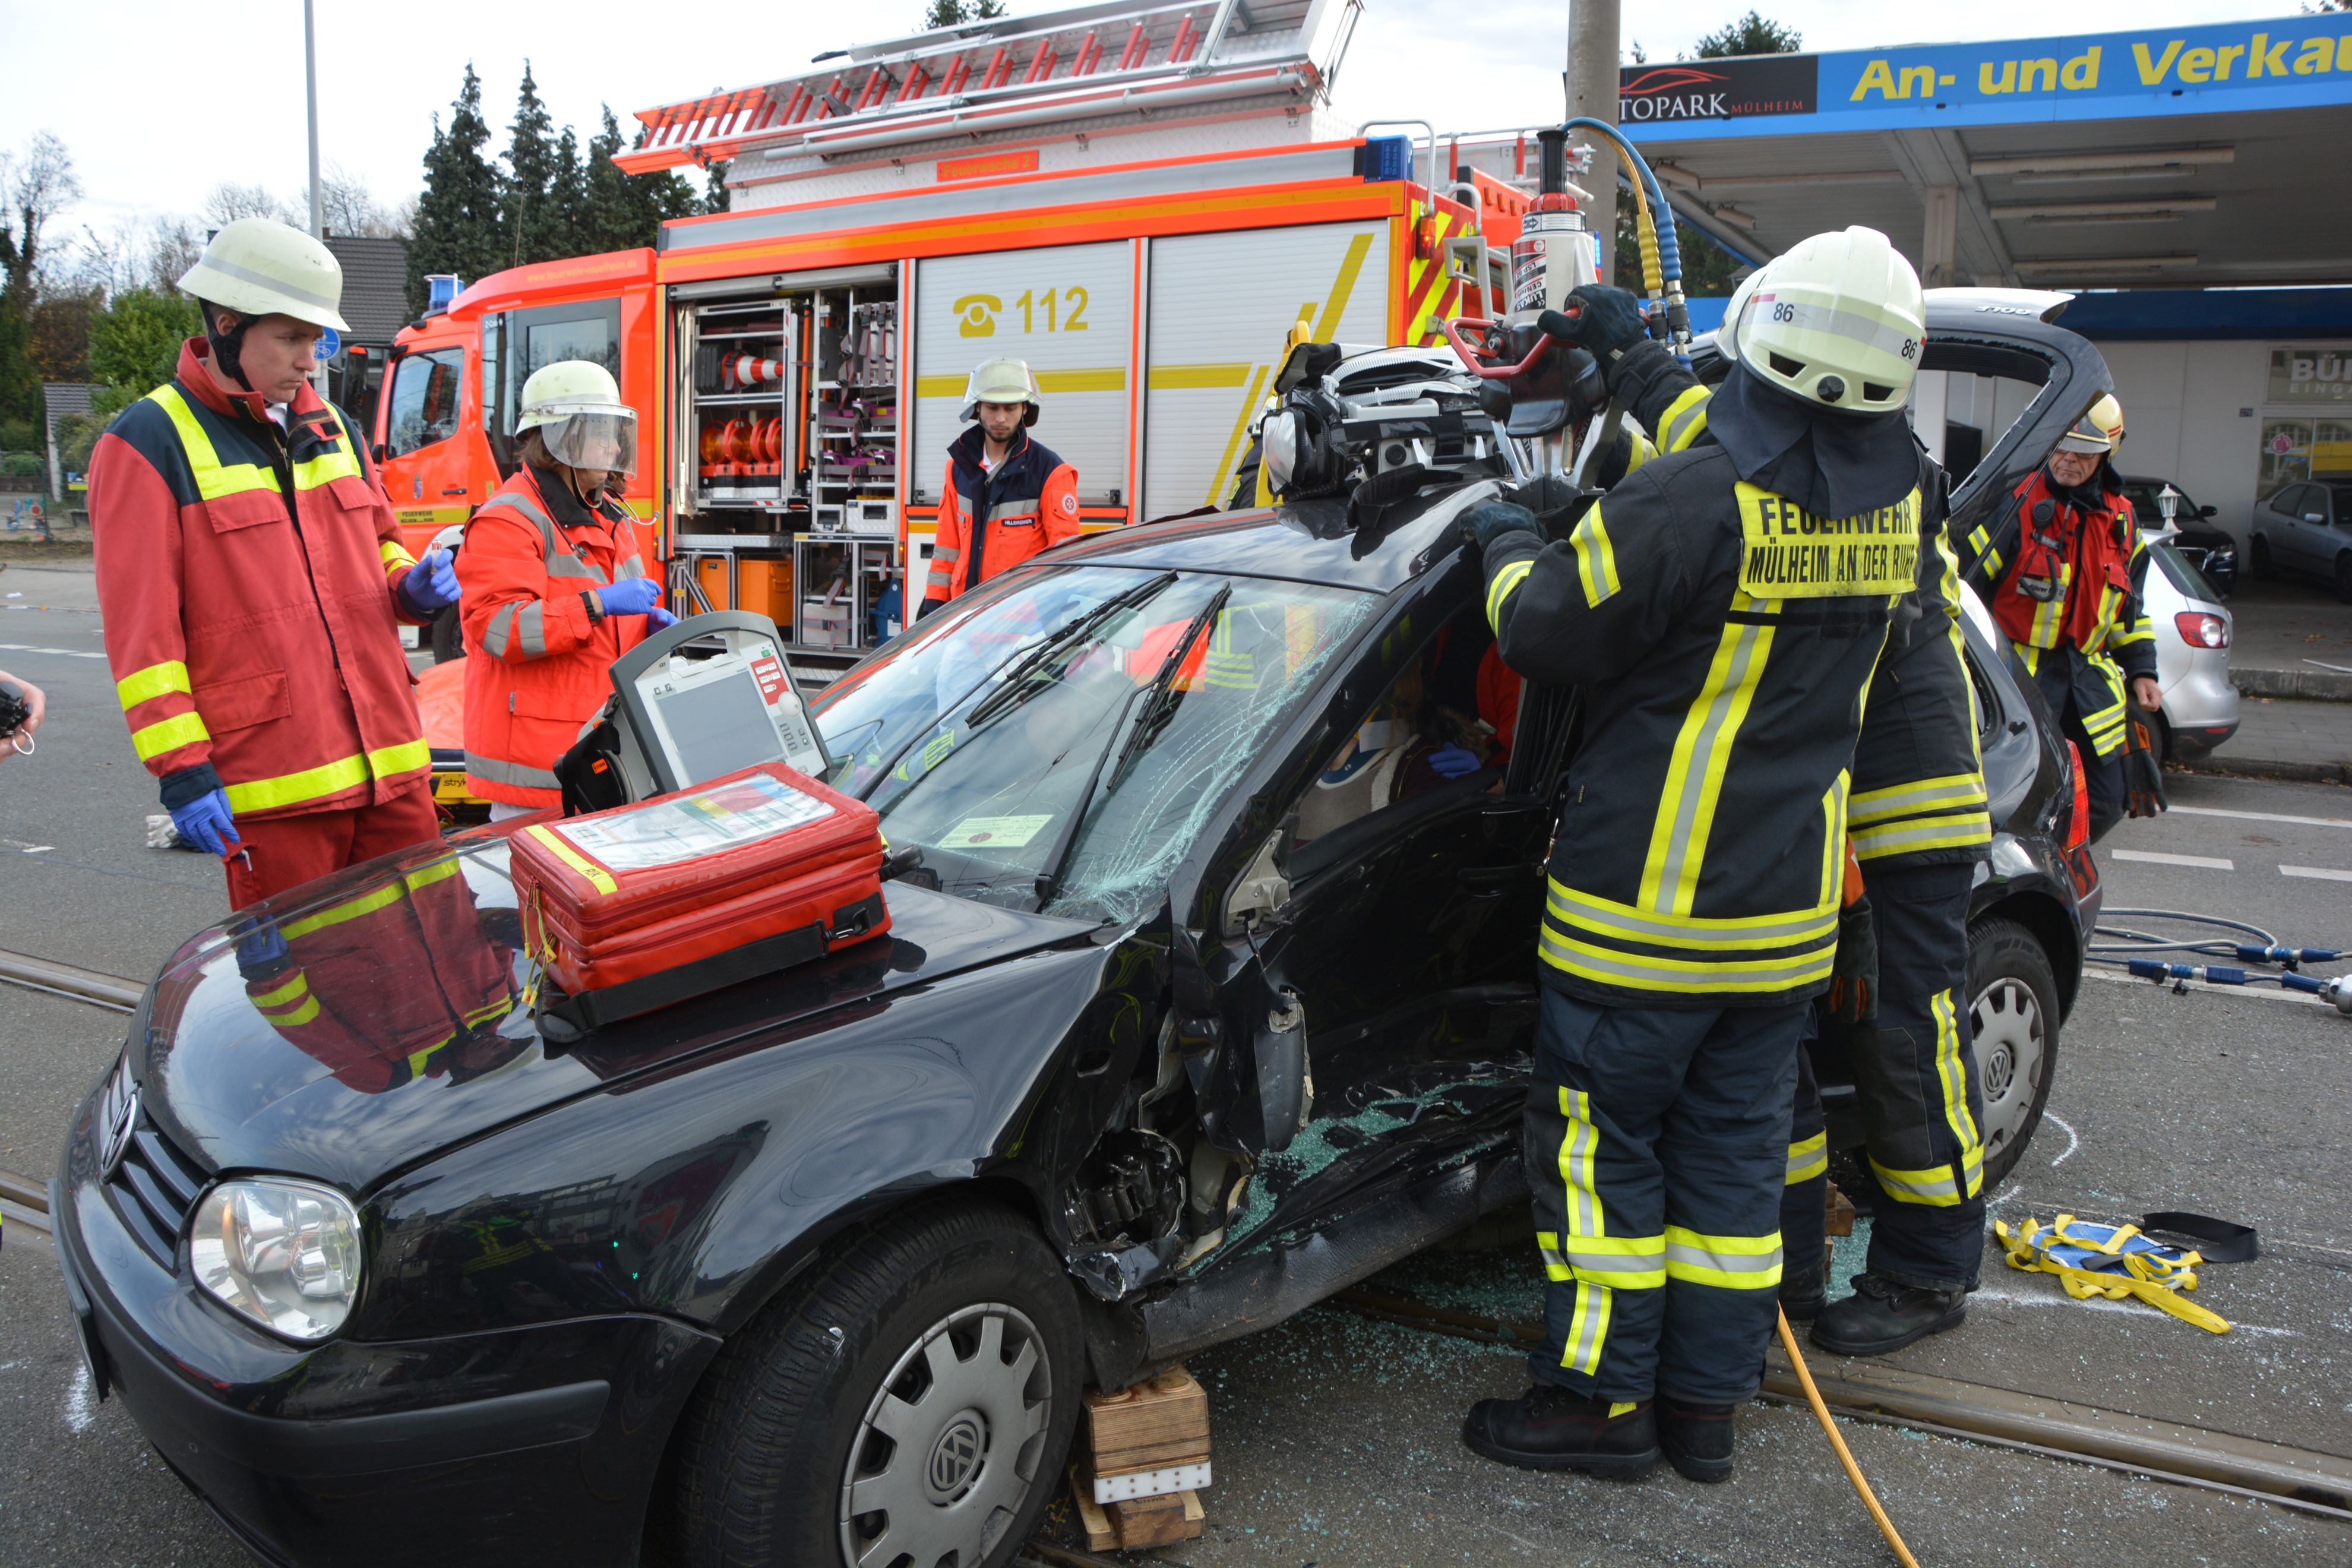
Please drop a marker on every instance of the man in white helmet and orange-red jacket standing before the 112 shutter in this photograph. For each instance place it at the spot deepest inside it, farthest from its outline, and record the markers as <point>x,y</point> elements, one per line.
<point>1005,497</point>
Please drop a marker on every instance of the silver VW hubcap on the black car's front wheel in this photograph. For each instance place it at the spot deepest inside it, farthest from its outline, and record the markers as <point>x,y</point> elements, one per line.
<point>951,1445</point>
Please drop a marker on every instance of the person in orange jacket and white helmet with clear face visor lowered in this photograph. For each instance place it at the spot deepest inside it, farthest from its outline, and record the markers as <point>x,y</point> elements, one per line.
<point>554,587</point>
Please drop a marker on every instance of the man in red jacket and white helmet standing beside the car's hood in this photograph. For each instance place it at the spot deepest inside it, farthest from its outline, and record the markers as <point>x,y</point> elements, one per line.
<point>250,575</point>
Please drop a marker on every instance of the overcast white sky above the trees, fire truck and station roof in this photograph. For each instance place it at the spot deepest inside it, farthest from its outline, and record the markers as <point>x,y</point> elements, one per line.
<point>159,100</point>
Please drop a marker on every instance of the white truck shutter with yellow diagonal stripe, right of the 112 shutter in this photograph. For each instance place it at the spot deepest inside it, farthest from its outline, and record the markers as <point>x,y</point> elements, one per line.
<point>1222,309</point>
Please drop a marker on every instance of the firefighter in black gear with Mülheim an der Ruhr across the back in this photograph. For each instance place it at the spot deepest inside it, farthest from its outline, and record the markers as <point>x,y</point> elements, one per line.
<point>1723,610</point>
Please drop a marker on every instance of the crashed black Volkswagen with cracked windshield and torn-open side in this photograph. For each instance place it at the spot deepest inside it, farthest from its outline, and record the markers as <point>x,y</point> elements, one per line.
<point>1208,1000</point>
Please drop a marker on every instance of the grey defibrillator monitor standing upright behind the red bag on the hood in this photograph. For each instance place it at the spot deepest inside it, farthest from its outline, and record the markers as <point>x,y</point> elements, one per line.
<point>704,699</point>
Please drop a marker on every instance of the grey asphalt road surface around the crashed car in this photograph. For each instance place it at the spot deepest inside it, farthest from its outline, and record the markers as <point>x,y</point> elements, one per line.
<point>1337,1438</point>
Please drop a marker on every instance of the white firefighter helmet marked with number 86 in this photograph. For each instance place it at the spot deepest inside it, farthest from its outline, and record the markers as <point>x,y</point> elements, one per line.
<point>1838,321</point>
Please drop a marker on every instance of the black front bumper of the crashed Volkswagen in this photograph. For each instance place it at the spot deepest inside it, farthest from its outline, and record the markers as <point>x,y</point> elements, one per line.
<point>505,1447</point>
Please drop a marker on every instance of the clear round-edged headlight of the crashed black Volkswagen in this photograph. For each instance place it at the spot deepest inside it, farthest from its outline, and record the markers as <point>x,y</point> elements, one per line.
<point>281,1254</point>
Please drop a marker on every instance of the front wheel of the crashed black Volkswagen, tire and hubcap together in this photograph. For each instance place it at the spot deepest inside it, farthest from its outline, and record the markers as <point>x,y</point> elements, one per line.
<point>951,1325</point>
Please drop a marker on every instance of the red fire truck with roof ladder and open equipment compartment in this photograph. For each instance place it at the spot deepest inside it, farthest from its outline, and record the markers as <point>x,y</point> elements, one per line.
<point>1142,201</point>
